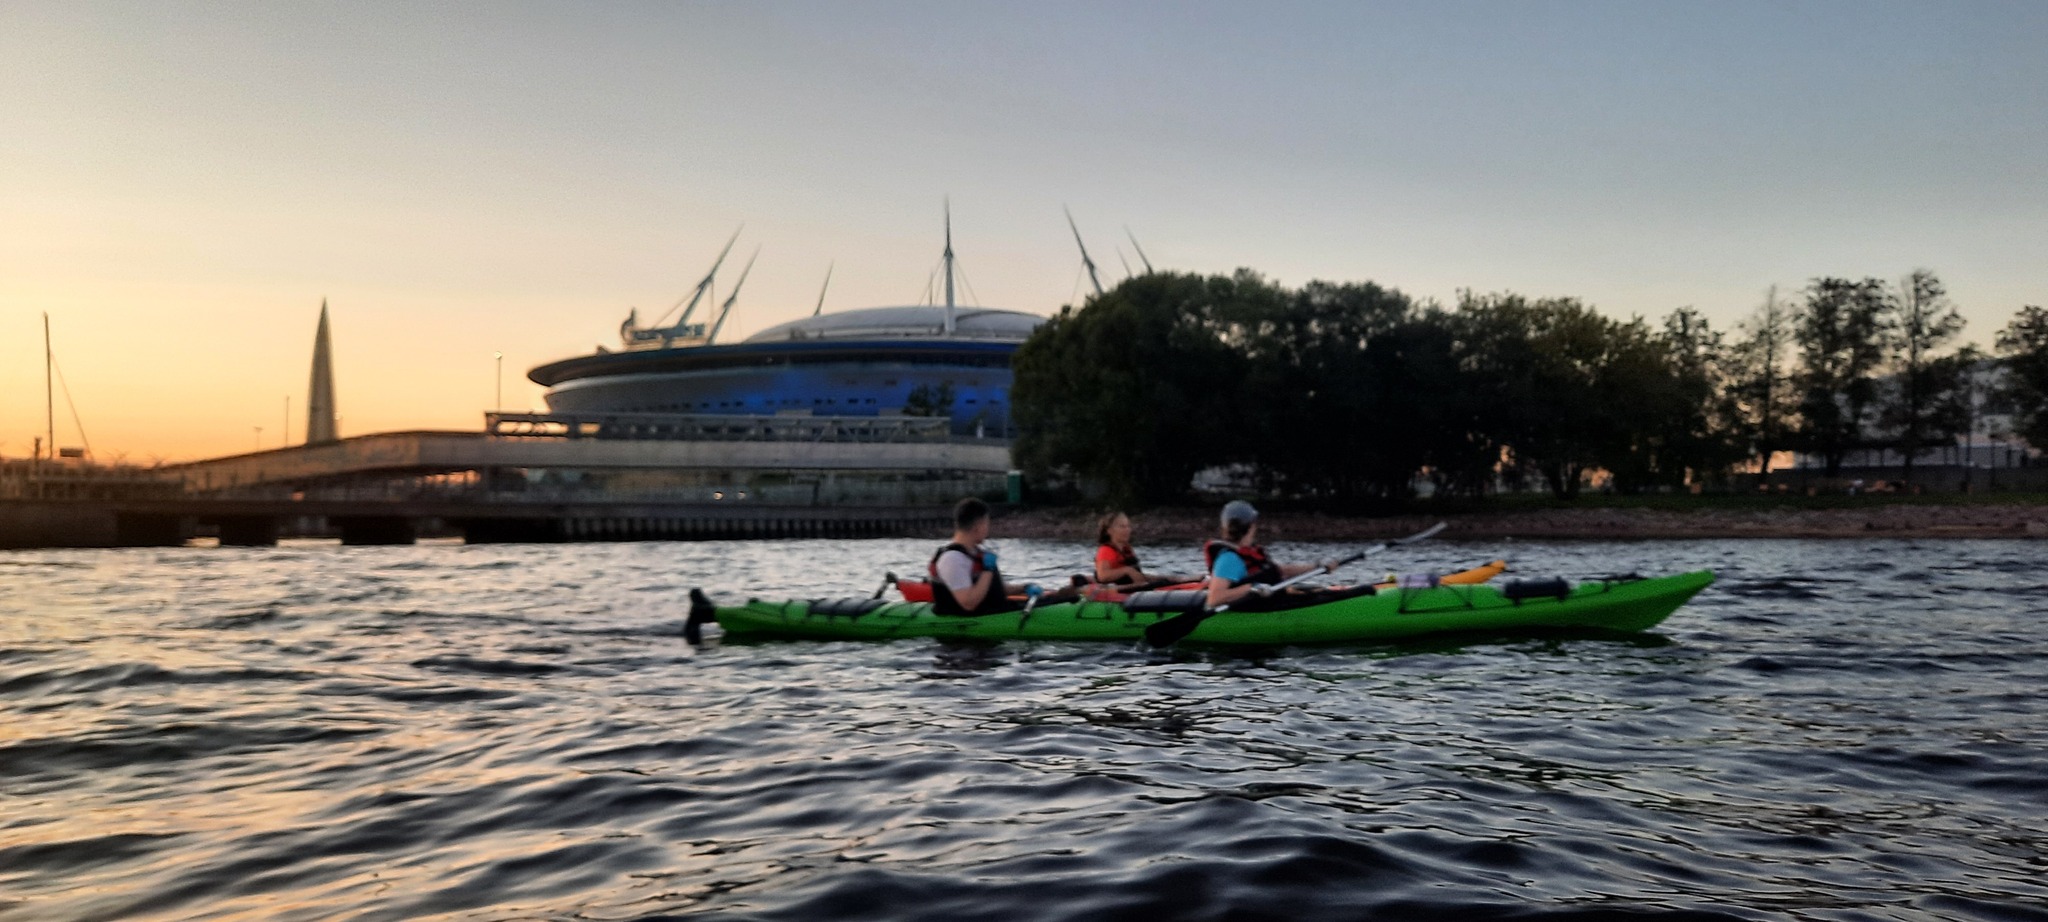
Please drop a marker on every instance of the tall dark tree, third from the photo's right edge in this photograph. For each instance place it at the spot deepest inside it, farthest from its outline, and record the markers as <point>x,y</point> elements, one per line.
<point>1840,335</point>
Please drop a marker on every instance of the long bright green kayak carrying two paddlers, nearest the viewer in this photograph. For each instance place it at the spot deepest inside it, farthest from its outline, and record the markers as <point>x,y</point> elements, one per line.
<point>1328,618</point>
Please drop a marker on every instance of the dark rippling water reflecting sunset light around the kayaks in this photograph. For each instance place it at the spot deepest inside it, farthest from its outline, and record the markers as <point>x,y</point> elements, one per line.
<point>1836,730</point>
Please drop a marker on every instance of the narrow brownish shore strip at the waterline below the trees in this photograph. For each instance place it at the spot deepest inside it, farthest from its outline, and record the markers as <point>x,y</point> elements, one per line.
<point>1572,523</point>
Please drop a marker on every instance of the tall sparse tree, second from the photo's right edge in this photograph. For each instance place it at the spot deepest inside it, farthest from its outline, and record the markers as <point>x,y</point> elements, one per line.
<point>1924,399</point>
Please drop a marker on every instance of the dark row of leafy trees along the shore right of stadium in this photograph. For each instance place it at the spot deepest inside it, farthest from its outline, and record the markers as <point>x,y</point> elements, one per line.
<point>1353,390</point>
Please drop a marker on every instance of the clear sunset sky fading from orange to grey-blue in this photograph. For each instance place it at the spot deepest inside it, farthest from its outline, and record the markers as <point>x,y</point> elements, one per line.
<point>185,183</point>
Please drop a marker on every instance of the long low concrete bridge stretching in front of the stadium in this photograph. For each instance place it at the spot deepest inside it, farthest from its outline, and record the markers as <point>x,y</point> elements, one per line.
<point>536,478</point>
